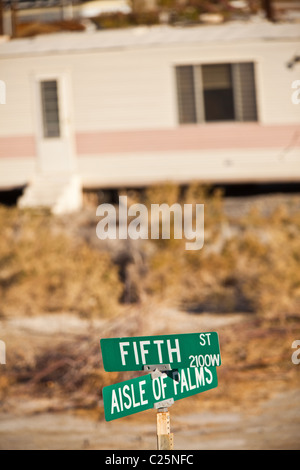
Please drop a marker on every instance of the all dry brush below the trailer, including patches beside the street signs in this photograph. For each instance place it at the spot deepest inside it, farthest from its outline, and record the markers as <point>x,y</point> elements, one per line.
<point>249,263</point>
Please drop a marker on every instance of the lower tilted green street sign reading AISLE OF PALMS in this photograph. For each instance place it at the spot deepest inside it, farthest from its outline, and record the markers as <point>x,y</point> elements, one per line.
<point>133,396</point>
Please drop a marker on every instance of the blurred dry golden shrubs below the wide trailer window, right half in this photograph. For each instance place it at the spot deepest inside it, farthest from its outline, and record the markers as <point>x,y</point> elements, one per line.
<point>247,264</point>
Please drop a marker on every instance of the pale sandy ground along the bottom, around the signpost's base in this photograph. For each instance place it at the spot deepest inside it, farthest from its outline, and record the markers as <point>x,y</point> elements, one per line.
<point>277,426</point>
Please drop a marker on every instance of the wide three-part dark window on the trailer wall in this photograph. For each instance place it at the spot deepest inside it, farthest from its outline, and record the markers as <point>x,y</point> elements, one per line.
<point>216,92</point>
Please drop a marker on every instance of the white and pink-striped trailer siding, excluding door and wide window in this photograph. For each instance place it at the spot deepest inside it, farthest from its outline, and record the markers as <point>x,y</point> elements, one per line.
<point>123,105</point>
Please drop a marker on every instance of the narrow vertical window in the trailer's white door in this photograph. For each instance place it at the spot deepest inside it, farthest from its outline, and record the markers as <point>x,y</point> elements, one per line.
<point>50,109</point>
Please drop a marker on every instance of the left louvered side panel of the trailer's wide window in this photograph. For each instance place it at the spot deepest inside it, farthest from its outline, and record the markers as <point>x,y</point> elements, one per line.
<point>186,94</point>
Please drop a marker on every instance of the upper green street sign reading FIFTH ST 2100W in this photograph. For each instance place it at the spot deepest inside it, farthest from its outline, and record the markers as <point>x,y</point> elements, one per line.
<point>178,351</point>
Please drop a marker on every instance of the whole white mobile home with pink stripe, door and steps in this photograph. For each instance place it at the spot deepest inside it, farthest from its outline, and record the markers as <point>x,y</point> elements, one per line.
<point>140,106</point>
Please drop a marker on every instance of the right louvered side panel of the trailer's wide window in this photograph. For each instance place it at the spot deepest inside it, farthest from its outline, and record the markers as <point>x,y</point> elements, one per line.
<point>244,91</point>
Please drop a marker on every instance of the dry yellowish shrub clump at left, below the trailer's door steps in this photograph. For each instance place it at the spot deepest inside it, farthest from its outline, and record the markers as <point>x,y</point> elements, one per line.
<point>43,270</point>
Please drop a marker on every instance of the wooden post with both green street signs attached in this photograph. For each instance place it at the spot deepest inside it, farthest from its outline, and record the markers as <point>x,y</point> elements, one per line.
<point>180,365</point>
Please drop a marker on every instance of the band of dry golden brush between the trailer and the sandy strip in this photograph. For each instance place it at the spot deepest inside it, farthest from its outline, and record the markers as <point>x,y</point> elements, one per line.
<point>249,263</point>
